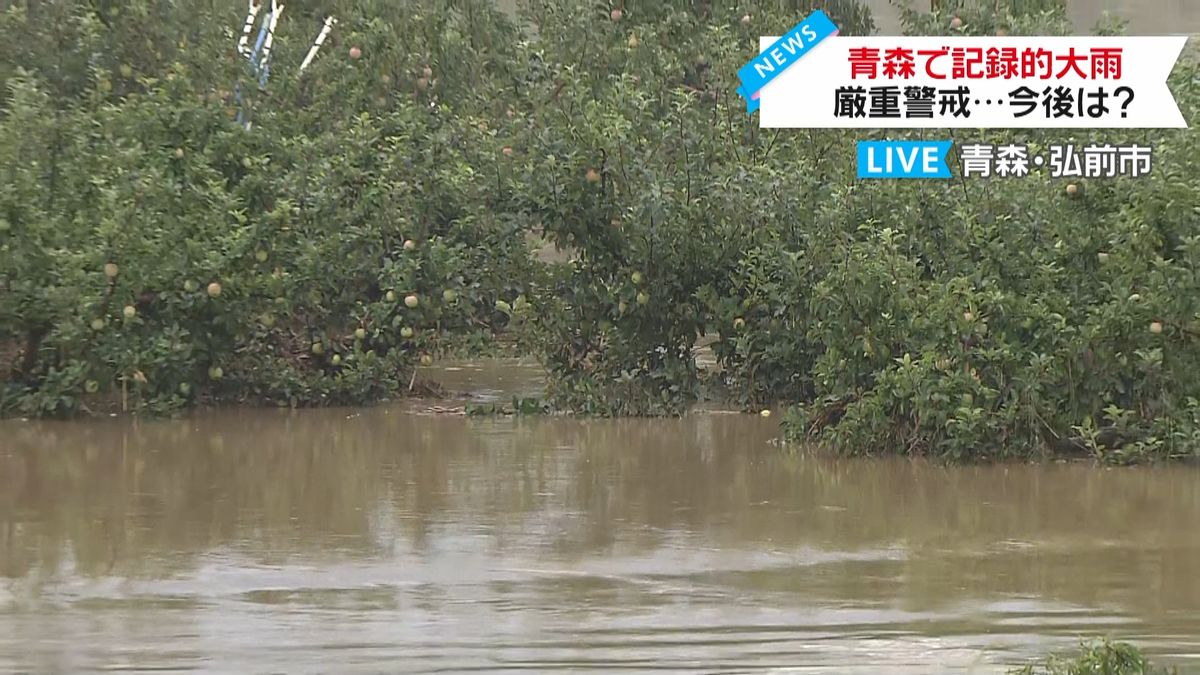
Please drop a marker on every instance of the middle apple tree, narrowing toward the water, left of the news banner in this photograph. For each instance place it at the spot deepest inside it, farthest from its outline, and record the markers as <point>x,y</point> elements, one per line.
<point>629,154</point>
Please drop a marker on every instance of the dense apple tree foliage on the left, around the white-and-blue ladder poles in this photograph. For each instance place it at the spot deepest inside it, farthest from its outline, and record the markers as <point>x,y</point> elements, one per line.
<point>155,249</point>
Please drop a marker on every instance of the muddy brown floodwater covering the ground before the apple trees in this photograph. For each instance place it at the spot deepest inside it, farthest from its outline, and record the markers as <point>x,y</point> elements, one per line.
<point>389,541</point>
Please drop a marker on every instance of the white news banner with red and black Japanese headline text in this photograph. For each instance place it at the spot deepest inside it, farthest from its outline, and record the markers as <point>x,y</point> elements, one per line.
<point>977,83</point>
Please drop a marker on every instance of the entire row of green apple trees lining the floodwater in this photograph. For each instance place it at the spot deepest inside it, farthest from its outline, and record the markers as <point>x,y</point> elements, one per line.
<point>380,212</point>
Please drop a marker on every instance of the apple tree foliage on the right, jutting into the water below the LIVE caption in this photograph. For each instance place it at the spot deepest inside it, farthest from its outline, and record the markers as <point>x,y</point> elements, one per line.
<point>1003,318</point>
